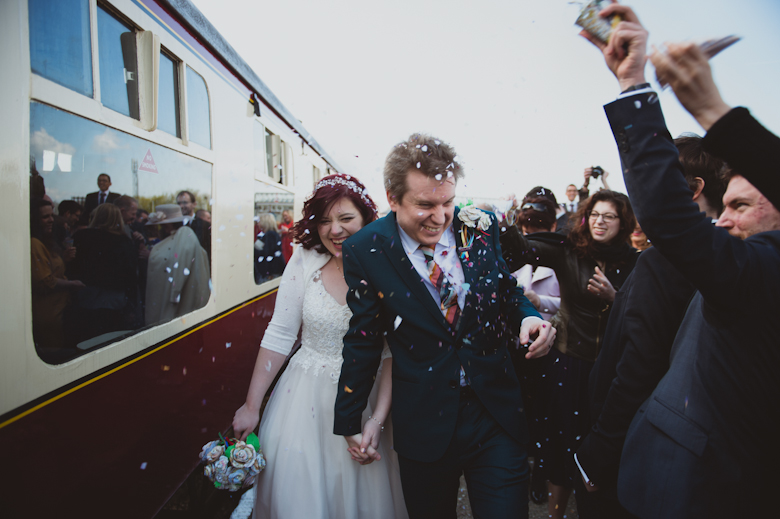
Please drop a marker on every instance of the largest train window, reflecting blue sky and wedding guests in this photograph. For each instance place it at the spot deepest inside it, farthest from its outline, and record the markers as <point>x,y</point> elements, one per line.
<point>98,282</point>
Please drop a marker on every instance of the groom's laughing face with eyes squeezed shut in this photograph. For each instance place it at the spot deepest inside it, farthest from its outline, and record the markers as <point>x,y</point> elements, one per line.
<point>427,208</point>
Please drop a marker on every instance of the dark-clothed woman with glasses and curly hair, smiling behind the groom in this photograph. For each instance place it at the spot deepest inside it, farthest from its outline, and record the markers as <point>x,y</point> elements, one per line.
<point>591,264</point>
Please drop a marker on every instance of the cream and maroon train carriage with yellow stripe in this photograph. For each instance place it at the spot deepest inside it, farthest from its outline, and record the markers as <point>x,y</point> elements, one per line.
<point>148,93</point>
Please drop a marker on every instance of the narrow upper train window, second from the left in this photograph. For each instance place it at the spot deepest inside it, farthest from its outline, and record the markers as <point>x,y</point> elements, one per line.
<point>118,65</point>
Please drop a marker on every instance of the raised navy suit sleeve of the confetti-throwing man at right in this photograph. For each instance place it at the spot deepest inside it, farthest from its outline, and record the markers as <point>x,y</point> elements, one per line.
<point>723,268</point>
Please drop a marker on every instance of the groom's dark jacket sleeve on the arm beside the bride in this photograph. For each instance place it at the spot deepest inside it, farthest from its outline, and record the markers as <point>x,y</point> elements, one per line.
<point>363,345</point>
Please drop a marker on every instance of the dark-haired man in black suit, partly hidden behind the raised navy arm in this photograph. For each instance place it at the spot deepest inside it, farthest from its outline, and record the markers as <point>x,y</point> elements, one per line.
<point>634,356</point>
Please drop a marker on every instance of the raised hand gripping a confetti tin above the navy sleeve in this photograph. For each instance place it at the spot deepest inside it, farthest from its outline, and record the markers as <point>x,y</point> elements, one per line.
<point>625,53</point>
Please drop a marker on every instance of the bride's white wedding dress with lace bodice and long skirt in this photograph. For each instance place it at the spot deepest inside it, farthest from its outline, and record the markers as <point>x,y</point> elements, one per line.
<point>310,474</point>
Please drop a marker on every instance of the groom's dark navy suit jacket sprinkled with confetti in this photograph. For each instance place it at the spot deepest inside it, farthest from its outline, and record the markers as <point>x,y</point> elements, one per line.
<point>389,299</point>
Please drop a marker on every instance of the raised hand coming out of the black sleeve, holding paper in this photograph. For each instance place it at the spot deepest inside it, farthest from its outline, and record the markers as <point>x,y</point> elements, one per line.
<point>686,69</point>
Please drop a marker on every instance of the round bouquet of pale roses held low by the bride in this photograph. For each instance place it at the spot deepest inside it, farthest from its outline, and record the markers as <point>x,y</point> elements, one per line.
<point>232,464</point>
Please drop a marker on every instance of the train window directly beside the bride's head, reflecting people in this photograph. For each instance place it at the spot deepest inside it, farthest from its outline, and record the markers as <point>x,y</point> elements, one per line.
<point>273,222</point>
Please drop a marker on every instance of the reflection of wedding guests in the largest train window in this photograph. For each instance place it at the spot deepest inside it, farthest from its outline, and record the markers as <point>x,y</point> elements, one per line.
<point>104,270</point>
